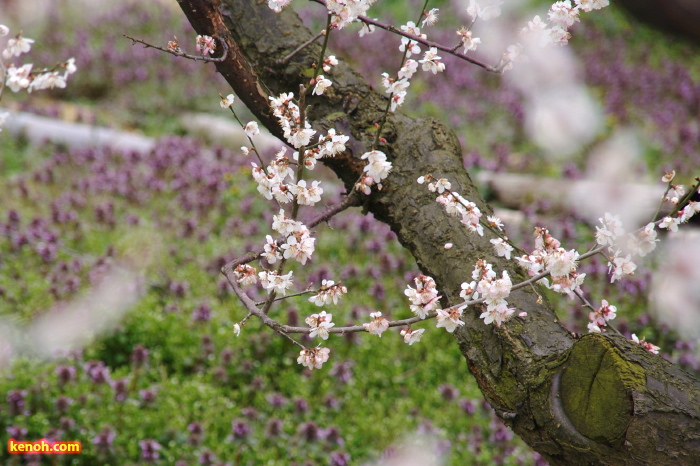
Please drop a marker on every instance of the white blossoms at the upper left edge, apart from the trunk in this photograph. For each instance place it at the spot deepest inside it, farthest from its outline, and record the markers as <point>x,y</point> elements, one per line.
<point>23,76</point>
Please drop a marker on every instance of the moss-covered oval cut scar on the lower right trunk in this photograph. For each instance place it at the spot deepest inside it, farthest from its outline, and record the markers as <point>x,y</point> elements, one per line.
<point>596,387</point>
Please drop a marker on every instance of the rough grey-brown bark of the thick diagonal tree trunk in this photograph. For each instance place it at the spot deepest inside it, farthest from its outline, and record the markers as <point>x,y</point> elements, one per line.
<point>592,400</point>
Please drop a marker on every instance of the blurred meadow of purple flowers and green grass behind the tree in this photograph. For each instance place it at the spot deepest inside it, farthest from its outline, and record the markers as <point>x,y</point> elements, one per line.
<point>125,193</point>
